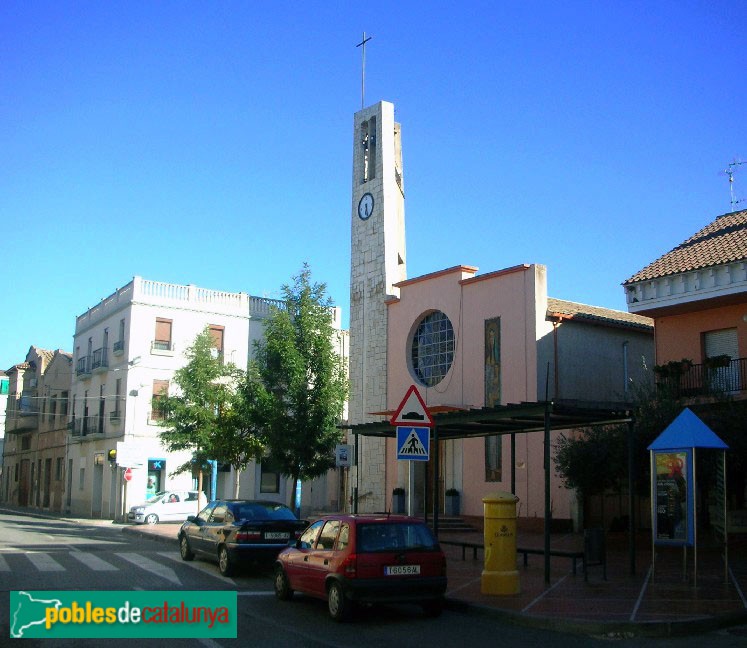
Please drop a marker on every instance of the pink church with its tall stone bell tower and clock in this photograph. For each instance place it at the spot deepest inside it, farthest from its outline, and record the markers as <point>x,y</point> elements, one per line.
<point>468,342</point>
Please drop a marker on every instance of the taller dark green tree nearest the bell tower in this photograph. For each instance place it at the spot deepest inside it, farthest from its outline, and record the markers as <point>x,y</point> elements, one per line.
<point>304,382</point>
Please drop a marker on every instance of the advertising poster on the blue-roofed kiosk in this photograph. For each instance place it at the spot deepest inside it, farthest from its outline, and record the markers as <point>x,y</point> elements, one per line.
<point>673,497</point>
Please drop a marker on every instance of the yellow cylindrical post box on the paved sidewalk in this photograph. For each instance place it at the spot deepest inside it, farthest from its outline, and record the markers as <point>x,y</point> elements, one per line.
<point>500,575</point>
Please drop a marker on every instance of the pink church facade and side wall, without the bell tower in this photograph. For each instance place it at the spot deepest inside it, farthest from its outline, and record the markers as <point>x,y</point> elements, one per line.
<point>468,341</point>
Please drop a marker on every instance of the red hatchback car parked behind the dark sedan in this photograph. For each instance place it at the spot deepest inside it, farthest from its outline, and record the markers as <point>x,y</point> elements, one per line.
<point>350,559</point>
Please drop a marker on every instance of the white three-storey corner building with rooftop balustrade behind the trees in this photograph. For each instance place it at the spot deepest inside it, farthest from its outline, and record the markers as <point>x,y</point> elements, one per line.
<point>127,349</point>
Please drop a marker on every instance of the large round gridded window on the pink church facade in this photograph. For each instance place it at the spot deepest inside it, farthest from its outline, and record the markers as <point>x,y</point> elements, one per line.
<point>432,348</point>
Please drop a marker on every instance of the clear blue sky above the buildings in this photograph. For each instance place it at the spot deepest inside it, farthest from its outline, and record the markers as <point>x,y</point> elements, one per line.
<point>211,143</point>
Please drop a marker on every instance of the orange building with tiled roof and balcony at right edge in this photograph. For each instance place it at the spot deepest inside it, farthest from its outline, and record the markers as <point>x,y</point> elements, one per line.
<point>697,296</point>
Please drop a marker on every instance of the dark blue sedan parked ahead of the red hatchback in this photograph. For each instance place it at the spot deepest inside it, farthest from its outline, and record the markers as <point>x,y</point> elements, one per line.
<point>235,532</point>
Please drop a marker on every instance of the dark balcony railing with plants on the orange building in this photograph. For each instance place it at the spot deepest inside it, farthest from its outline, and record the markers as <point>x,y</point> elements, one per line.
<point>705,379</point>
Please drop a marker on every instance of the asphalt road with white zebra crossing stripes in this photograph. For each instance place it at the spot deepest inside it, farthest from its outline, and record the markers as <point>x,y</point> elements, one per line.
<point>45,554</point>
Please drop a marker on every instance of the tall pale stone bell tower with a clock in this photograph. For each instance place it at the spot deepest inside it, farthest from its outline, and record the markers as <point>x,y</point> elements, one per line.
<point>377,263</point>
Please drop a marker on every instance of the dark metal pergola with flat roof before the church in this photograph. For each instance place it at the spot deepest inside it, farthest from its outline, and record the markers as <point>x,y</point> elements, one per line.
<point>518,418</point>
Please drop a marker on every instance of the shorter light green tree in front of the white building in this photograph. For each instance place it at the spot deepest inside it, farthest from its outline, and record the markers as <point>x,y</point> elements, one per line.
<point>205,415</point>
